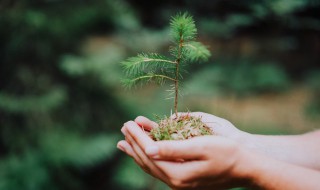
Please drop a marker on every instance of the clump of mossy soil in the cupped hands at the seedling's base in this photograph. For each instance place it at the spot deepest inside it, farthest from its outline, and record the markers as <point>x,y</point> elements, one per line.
<point>180,128</point>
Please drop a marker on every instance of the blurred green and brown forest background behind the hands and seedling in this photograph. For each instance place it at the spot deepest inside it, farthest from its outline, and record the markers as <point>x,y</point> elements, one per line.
<point>61,100</point>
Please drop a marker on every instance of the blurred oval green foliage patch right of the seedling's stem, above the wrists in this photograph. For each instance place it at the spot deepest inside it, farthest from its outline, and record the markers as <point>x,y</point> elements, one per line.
<point>243,79</point>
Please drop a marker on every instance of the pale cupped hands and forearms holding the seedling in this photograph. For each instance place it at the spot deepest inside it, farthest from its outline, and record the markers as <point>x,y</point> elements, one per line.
<point>231,158</point>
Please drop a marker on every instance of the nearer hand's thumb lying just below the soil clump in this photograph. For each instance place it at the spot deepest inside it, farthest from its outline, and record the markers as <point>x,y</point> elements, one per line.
<point>190,149</point>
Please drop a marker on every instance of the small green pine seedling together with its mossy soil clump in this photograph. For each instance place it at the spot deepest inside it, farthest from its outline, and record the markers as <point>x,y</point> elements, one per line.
<point>148,67</point>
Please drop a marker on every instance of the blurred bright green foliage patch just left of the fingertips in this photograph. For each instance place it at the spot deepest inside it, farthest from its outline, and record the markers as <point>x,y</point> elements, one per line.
<point>65,148</point>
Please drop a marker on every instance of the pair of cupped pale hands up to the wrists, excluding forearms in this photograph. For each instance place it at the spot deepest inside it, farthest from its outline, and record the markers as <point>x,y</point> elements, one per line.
<point>202,162</point>
